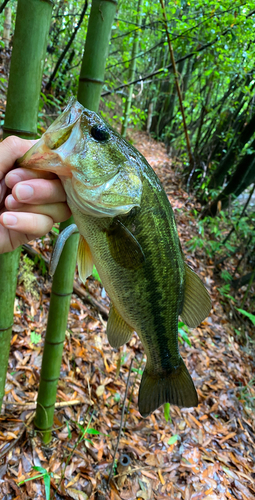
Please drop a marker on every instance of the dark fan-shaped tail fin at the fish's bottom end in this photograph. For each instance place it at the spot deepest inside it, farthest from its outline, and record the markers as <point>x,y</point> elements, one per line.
<point>176,388</point>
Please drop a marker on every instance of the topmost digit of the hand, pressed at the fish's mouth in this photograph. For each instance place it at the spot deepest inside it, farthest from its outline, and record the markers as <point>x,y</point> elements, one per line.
<point>11,149</point>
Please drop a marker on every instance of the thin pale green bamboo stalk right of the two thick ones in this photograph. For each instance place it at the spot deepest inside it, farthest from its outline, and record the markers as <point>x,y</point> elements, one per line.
<point>131,72</point>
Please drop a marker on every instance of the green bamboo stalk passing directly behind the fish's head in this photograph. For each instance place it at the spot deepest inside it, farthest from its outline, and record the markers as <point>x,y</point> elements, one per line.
<point>91,81</point>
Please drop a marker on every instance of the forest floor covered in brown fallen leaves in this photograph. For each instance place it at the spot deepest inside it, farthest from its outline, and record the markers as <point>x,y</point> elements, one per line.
<point>201,453</point>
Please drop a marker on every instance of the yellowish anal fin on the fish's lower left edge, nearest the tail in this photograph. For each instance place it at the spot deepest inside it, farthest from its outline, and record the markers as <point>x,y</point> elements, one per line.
<point>118,331</point>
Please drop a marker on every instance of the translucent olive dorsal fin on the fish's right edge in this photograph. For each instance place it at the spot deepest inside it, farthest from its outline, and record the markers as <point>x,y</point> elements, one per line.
<point>197,301</point>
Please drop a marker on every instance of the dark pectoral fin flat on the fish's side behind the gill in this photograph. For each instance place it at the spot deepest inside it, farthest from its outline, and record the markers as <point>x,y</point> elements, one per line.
<point>124,247</point>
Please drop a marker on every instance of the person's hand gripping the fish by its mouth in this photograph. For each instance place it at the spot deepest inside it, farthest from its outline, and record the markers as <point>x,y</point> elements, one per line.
<point>37,199</point>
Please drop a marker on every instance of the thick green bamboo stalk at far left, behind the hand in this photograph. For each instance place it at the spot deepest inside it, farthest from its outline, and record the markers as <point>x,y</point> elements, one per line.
<point>29,49</point>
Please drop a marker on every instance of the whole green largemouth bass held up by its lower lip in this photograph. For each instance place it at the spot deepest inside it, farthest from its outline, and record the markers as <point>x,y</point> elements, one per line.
<point>127,229</point>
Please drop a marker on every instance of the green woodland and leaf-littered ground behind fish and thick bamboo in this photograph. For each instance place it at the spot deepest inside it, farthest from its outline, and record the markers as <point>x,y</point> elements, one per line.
<point>210,453</point>
